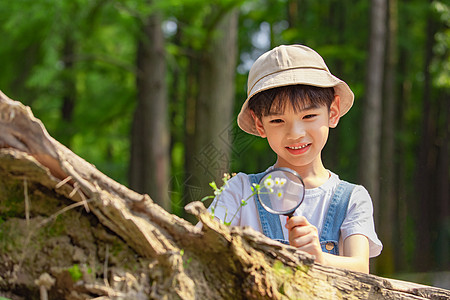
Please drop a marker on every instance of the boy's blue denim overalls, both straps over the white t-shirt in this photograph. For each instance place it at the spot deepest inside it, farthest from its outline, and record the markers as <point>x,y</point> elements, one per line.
<point>329,236</point>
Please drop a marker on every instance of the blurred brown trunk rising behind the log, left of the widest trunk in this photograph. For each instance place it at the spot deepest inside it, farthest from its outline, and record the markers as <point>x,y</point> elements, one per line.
<point>149,162</point>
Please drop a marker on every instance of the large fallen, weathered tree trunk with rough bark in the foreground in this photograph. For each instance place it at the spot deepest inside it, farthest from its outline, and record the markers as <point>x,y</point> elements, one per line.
<point>121,245</point>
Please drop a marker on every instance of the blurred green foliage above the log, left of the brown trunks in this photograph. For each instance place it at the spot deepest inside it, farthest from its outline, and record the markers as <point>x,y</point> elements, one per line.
<point>102,71</point>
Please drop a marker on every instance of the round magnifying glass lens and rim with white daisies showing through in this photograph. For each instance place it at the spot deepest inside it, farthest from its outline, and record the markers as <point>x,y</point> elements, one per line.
<point>281,191</point>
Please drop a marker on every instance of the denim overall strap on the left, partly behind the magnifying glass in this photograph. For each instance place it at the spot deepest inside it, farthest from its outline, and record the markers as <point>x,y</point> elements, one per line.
<point>270,223</point>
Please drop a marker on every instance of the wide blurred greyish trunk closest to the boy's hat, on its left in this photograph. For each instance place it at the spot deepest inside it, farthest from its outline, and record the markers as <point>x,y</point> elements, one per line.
<point>208,153</point>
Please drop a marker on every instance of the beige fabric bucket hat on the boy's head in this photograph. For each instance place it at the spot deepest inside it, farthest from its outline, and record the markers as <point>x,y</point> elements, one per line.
<point>290,65</point>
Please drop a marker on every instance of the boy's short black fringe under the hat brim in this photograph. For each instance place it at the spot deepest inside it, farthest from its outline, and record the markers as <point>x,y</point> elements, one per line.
<point>299,96</point>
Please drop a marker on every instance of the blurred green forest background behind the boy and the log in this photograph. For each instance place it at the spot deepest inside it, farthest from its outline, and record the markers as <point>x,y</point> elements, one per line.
<point>149,90</point>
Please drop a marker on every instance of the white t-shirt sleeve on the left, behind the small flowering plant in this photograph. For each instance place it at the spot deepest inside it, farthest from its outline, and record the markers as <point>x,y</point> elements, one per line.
<point>226,206</point>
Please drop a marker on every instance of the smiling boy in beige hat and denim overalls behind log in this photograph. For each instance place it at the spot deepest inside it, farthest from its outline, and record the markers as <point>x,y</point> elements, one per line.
<point>293,100</point>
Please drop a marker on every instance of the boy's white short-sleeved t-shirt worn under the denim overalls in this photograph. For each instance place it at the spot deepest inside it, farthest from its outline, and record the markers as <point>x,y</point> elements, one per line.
<point>359,218</point>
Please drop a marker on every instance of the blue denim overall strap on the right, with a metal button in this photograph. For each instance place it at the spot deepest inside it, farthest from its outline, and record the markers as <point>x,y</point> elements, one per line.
<point>331,229</point>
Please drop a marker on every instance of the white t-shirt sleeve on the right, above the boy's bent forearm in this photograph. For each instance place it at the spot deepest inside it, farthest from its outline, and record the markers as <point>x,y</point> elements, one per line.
<point>359,220</point>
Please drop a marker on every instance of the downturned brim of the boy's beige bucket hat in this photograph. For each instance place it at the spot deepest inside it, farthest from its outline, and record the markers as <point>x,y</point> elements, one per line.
<point>306,76</point>
